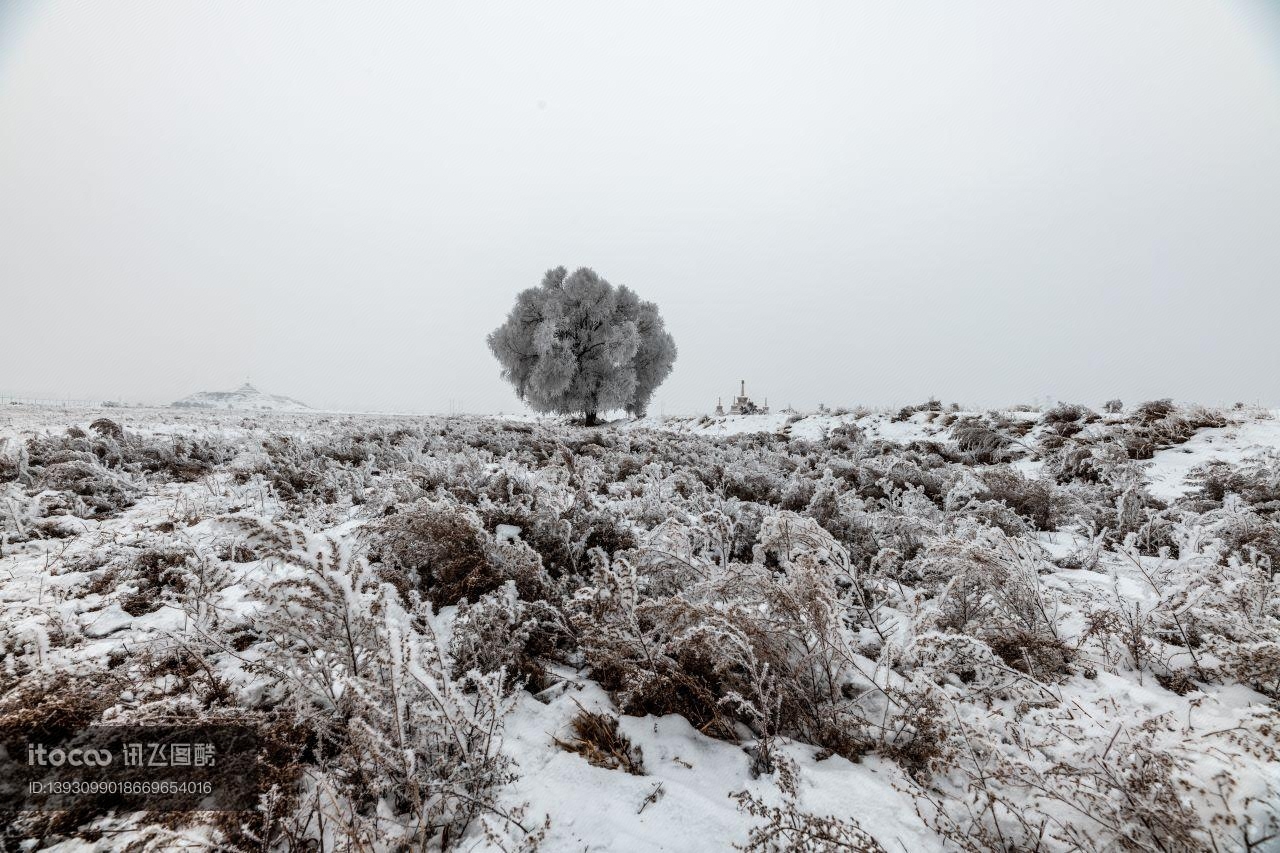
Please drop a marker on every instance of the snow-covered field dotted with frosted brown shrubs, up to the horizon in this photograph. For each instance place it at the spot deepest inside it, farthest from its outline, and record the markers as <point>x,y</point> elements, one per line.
<point>1139,710</point>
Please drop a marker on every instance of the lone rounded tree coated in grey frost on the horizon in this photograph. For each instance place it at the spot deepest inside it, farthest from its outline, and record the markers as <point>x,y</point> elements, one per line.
<point>577,344</point>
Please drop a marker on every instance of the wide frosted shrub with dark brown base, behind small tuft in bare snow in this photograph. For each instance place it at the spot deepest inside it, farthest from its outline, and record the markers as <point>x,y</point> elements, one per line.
<point>740,644</point>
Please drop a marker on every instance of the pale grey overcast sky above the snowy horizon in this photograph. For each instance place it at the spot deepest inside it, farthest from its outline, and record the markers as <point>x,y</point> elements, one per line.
<point>840,203</point>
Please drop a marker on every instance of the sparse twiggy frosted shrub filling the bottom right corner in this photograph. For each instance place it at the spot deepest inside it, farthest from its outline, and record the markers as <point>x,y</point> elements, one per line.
<point>1145,786</point>
